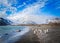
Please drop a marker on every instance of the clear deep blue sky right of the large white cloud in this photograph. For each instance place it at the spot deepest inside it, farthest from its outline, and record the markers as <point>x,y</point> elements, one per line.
<point>53,7</point>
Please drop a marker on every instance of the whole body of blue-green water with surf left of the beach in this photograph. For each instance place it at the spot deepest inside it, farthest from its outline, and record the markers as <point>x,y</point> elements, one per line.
<point>9,34</point>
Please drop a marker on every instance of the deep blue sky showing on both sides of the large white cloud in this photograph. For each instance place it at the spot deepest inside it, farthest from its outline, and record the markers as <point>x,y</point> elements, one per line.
<point>51,6</point>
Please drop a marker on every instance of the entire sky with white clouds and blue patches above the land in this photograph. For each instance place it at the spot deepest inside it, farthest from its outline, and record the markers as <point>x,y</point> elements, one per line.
<point>29,10</point>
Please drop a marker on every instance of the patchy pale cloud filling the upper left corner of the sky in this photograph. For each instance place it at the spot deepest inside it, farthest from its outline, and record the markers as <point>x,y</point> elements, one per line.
<point>5,6</point>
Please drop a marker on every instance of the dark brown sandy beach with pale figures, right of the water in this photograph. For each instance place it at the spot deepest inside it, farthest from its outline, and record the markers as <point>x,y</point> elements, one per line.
<point>42,34</point>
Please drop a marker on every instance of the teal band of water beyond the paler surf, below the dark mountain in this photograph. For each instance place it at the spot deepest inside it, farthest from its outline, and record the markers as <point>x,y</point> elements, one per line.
<point>6,29</point>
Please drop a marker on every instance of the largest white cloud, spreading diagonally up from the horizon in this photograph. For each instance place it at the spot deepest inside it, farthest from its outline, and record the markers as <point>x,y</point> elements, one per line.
<point>31,13</point>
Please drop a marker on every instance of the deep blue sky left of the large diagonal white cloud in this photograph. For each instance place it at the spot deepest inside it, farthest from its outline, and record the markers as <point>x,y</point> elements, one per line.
<point>21,3</point>
